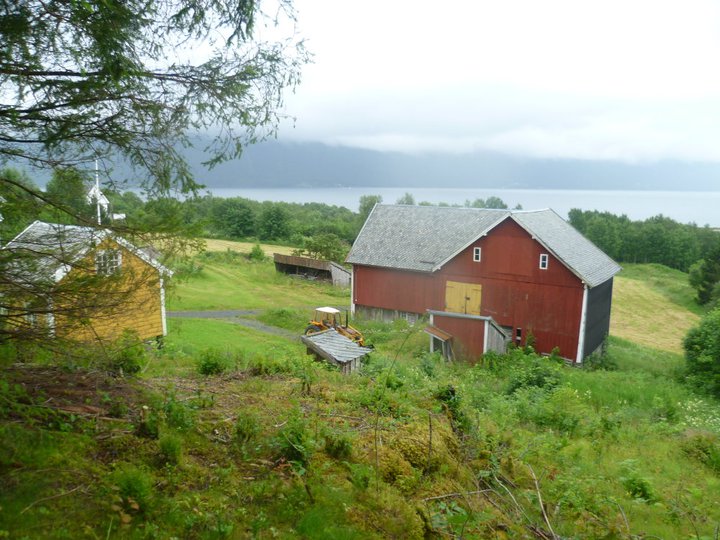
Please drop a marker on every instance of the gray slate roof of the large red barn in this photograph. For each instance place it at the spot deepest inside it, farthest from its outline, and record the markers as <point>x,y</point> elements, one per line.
<point>424,238</point>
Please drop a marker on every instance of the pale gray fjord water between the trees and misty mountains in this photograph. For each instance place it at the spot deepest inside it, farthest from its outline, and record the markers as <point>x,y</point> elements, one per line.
<point>700,207</point>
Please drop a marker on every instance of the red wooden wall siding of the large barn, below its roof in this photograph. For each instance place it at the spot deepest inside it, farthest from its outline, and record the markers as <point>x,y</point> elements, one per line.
<point>515,291</point>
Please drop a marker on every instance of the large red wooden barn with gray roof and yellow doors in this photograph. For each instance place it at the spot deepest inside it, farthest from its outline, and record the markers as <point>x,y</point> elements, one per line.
<point>485,276</point>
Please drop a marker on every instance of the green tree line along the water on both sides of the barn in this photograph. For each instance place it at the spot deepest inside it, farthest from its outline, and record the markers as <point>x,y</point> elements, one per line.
<point>328,231</point>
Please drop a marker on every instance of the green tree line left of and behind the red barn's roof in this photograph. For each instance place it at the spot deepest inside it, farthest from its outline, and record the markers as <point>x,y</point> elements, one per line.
<point>316,229</point>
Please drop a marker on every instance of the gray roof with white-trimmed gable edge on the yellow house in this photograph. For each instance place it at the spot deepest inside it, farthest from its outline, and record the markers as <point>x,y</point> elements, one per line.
<point>47,251</point>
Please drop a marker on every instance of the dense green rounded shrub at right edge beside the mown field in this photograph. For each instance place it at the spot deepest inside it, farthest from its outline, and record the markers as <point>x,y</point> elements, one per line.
<point>702,353</point>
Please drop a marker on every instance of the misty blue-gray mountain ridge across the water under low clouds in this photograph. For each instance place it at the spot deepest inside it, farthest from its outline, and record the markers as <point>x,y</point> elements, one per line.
<point>302,164</point>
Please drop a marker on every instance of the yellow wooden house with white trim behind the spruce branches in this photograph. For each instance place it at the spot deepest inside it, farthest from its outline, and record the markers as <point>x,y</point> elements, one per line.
<point>85,284</point>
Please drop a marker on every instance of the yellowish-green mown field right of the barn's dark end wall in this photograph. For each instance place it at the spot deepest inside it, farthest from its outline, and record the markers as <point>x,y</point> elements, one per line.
<point>652,307</point>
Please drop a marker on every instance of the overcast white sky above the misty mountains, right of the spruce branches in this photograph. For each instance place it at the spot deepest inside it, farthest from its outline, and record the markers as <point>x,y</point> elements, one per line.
<point>629,80</point>
